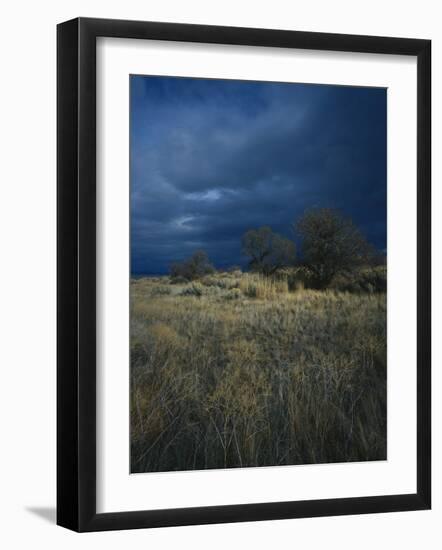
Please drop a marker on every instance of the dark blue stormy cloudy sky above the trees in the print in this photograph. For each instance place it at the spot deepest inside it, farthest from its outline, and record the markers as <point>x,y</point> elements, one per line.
<point>213,158</point>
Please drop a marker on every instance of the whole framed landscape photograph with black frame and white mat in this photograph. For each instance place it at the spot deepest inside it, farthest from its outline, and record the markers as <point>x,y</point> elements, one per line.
<point>243,274</point>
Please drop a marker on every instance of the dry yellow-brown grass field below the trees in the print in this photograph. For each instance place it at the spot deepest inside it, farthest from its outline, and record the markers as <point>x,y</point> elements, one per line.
<point>238,370</point>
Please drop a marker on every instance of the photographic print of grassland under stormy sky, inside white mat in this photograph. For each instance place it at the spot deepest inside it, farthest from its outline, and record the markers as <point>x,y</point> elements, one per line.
<point>258,274</point>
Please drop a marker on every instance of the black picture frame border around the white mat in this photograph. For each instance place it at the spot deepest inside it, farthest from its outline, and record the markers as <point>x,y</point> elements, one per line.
<point>76,274</point>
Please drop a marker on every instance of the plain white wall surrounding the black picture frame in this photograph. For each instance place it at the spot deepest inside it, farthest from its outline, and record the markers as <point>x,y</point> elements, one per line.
<point>27,289</point>
